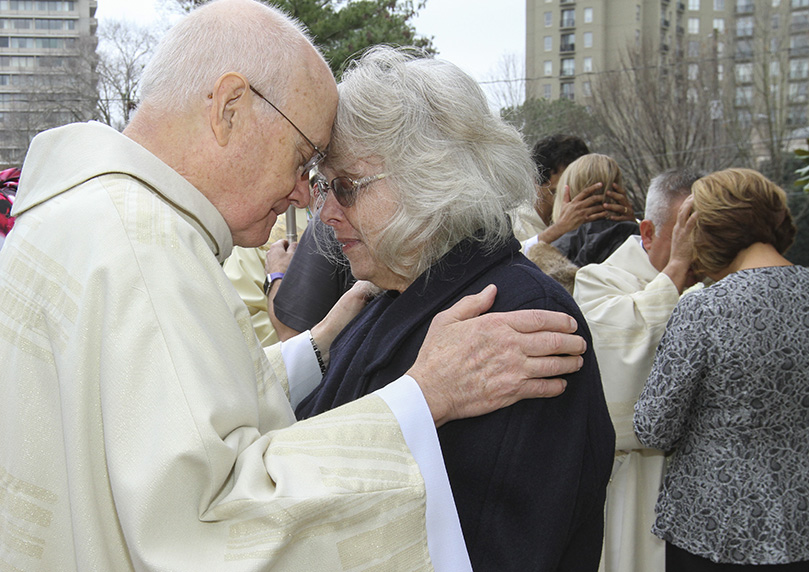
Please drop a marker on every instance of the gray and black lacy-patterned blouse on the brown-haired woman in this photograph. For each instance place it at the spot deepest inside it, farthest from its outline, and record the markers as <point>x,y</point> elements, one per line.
<point>729,394</point>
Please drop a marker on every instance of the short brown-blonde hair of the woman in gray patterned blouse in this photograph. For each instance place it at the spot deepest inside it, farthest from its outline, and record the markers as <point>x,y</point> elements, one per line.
<point>735,209</point>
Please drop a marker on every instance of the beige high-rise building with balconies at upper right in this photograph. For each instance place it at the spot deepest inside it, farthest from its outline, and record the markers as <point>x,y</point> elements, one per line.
<point>759,48</point>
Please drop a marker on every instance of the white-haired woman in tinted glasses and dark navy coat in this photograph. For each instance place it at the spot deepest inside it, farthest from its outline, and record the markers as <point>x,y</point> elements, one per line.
<point>418,185</point>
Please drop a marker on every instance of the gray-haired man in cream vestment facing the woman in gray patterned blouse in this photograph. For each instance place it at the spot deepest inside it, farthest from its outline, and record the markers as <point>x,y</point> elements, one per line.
<point>627,301</point>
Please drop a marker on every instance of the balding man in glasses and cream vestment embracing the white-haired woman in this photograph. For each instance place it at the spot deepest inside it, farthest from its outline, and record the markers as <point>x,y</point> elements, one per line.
<point>142,426</point>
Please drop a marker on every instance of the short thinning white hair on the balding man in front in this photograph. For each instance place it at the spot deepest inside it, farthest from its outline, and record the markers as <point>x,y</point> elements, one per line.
<point>244,36</point>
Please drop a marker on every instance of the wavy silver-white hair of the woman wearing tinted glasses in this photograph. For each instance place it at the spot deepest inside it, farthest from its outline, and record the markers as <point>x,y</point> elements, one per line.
<point>457,170</point>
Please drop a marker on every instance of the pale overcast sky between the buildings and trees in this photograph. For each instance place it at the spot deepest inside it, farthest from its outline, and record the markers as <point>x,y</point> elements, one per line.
<point>473,34</point>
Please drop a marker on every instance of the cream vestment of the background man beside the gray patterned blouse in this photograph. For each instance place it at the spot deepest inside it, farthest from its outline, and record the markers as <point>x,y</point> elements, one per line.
<point>627,303</point>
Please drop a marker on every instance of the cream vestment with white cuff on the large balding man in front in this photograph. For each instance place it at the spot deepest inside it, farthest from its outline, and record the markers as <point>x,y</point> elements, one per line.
<point>142,426</point>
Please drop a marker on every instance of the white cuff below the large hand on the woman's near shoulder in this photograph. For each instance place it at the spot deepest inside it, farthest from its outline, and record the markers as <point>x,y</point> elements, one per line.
<point>444,537</point>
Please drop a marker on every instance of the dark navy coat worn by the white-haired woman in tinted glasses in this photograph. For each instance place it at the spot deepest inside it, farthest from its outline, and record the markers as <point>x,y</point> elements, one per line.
<point>529,480</point>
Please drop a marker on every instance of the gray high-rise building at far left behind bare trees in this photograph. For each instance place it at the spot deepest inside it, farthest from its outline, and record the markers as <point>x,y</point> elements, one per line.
<point>47,69</point>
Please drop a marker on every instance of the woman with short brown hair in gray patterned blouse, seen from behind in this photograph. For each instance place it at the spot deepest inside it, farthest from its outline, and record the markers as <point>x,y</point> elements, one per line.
<point>729,390</point>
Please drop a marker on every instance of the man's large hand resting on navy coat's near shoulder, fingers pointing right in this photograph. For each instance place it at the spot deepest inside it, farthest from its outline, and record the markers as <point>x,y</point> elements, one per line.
<point>471,364</point>
